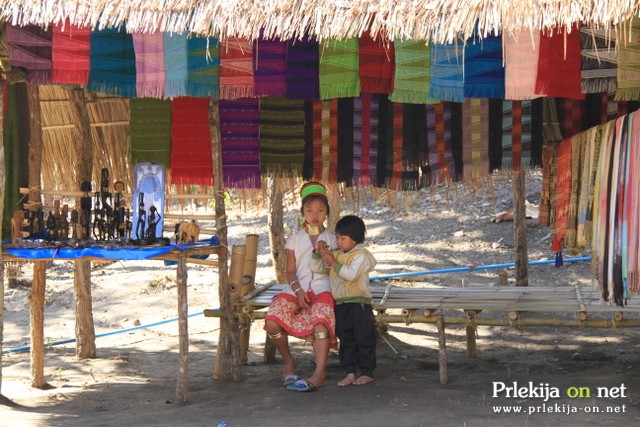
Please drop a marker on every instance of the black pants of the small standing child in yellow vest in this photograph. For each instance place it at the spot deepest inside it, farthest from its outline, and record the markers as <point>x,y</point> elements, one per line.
<point>355,327</point>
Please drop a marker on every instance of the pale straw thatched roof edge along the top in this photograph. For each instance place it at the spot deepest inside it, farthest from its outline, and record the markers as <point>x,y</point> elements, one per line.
<point>436,20</point>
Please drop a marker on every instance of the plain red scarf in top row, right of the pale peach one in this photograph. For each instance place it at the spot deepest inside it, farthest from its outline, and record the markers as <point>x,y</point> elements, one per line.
<point>559,65</point>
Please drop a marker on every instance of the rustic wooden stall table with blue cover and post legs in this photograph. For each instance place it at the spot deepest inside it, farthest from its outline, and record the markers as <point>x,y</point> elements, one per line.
<point>85,335</point>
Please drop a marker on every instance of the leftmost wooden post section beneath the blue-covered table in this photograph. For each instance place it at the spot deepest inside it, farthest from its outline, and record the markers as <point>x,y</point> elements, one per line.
<point>36,315</point>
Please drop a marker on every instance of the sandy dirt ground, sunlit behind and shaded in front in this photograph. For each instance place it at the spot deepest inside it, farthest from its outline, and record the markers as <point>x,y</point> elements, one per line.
<point>133,379</point>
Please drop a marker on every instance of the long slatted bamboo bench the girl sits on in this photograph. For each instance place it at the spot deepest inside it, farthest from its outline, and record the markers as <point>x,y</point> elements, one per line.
<point>472,307</point>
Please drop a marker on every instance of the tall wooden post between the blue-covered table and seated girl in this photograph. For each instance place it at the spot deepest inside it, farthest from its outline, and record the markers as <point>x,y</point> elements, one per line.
<point>227,365</point>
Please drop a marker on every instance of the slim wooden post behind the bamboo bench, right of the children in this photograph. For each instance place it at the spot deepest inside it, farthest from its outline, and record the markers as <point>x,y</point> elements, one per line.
<point>520,229</point>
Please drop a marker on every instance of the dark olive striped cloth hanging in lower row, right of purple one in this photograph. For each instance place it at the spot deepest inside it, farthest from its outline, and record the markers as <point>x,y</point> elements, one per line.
<point>282,132</point>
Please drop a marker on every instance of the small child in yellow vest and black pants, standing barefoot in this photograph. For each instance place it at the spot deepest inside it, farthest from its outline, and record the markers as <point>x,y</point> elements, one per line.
<point>349,268</point>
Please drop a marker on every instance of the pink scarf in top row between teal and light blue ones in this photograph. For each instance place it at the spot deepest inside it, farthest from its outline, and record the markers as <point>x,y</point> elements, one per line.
<point>150,76</point>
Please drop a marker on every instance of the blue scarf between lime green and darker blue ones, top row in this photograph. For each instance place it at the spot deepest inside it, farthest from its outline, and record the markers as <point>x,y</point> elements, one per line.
<point>447,72</point>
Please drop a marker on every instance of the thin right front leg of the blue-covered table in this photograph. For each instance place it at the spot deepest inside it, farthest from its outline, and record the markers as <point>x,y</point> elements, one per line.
<point>183,329</point>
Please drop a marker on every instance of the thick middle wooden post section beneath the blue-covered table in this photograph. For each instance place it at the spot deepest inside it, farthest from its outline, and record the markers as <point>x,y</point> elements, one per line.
<point>85,332</point>
